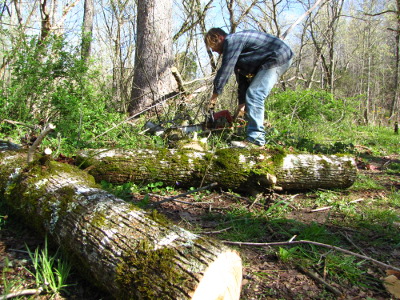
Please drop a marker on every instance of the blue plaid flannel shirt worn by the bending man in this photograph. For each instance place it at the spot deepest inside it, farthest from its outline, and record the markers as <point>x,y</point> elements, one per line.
<point>249,51</point>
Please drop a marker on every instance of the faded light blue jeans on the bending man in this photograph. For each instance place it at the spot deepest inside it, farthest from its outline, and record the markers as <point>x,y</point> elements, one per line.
<point>258,91</point>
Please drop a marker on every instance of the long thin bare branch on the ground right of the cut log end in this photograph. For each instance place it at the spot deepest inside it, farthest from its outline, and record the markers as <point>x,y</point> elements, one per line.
<point>377,262</point>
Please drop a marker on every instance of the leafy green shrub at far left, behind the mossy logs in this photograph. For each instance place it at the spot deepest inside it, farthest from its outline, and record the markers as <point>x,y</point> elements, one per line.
<point>50,83</point>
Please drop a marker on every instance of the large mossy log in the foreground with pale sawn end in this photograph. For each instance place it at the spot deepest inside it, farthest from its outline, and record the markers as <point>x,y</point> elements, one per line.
<point>131,253</point>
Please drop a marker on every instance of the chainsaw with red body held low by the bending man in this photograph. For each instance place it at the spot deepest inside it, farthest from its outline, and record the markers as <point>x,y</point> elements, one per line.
<point>214,121</point>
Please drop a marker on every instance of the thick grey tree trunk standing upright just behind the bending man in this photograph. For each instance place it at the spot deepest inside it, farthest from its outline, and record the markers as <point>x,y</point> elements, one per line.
<point>152,78</point>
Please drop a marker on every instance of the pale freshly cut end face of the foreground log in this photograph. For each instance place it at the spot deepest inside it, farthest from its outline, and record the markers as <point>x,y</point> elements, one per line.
<point>222,279</point>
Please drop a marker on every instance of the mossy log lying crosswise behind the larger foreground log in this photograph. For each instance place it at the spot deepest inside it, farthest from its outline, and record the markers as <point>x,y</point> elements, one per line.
<point>236,169</point>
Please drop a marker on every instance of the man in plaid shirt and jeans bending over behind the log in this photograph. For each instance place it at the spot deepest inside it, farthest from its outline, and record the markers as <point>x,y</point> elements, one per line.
<point>258,59</point>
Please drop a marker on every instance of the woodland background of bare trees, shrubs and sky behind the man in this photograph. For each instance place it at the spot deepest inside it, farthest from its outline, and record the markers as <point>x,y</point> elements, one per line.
<point>73,63</point>
